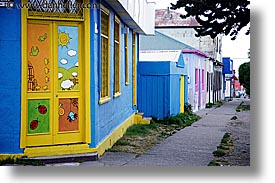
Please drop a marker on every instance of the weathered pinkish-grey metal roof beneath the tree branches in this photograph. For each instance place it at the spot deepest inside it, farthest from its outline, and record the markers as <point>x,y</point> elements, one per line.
<point>169,18</point>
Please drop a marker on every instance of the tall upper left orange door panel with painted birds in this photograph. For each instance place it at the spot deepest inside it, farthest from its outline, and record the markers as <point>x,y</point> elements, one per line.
<point>38,57</point>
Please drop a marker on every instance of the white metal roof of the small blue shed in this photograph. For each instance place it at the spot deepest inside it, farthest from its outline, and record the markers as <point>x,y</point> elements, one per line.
<point>159,55</point>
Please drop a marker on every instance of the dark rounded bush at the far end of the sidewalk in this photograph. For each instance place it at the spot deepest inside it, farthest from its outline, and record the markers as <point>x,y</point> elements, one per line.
<point>244,76</point>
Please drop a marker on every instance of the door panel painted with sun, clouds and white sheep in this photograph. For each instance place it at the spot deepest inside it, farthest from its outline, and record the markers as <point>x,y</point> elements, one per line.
<point>68,74</point>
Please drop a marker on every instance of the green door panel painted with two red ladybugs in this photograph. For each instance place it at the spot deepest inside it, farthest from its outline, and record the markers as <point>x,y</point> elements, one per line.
<point>38,116</point>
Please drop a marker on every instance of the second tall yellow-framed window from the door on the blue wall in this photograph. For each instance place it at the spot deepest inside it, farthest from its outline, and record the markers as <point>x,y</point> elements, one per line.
<point>117,57</point>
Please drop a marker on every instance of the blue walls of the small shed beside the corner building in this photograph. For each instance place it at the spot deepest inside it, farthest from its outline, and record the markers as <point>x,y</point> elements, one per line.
<point>159,88</point>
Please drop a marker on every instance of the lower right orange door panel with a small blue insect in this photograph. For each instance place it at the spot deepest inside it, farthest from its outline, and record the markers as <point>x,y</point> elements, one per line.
<point>68,114</point>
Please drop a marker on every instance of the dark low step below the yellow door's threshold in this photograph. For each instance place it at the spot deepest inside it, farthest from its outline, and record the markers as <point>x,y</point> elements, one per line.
<point>61,159</point>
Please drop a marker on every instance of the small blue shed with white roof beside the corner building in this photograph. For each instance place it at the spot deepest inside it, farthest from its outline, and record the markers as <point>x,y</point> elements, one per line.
<point>162,90</point>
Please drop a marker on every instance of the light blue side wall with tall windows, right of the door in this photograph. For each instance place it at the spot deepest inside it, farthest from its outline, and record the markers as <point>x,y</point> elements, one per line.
<point>108,116</point>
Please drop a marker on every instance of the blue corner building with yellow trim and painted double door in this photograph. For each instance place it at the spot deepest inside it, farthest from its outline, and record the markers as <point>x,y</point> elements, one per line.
<point>69,75</point>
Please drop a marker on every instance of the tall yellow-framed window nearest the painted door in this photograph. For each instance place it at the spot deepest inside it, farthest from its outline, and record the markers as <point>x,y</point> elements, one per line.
<point>105,56</point>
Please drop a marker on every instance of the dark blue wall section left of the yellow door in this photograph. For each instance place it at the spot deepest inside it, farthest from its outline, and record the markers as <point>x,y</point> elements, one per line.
<point>10,85</point>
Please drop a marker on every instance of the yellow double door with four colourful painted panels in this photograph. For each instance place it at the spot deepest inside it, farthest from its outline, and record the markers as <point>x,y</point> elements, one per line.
<point>54,77</point>
